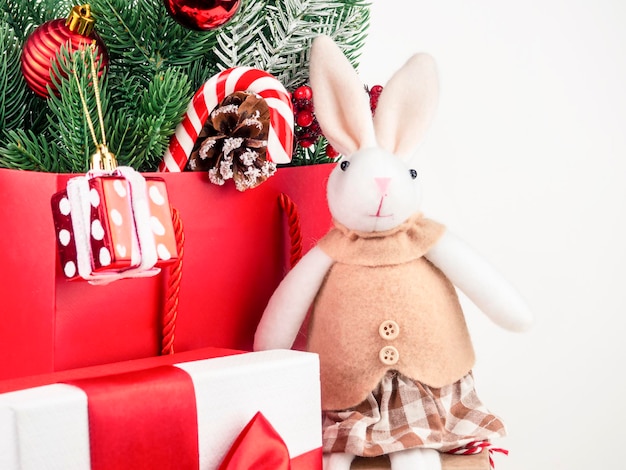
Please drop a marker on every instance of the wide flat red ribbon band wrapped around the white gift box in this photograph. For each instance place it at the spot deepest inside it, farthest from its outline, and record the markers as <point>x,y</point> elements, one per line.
<point>128,430</point>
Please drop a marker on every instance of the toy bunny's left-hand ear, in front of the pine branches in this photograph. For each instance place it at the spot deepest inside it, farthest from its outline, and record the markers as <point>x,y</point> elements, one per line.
<point>341,103</point>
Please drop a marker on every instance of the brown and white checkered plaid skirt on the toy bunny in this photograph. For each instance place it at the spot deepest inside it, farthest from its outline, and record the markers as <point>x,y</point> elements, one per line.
<point>402,413</point>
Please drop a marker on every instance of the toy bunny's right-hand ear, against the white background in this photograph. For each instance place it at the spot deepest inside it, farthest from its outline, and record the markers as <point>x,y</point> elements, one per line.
<point>407,105</point>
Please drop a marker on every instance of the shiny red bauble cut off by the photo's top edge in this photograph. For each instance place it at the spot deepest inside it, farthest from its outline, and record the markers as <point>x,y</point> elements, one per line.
<point>202,15</point>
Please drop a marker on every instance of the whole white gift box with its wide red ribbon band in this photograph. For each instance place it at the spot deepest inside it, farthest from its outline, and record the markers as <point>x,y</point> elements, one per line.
<point>183,411</point>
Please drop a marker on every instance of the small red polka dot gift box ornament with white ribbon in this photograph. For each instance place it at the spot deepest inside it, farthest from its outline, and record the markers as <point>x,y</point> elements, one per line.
<point>115,225</point>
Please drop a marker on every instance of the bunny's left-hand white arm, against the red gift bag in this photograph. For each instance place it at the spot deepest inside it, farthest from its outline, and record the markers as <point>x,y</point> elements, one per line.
<point>291,301</point>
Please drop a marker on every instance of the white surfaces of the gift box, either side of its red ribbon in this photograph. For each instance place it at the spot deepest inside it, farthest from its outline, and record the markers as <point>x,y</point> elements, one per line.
<point>47,427</point>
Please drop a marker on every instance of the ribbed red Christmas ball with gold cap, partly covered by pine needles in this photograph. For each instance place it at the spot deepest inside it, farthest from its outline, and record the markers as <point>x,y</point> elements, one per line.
<point>43,45</point>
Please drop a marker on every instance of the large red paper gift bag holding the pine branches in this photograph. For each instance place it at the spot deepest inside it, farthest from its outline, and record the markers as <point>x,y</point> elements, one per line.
<point>236,253</point>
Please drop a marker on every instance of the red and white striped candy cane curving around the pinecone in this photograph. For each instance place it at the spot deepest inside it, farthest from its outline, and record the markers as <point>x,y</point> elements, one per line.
<point>218,87</point>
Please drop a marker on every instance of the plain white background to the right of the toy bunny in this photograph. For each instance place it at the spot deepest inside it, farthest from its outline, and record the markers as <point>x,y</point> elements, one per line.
<point>526,160</point>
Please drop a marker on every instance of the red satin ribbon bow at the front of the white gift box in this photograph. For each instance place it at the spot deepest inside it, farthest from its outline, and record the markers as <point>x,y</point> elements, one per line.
<point>258,447</point>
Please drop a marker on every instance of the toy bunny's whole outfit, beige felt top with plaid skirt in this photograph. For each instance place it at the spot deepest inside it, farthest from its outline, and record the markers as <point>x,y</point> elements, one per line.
<point>395,353</point>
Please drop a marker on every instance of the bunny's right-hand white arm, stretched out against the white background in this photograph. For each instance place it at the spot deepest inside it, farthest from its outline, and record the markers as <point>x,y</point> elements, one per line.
<point>482,284</point>
